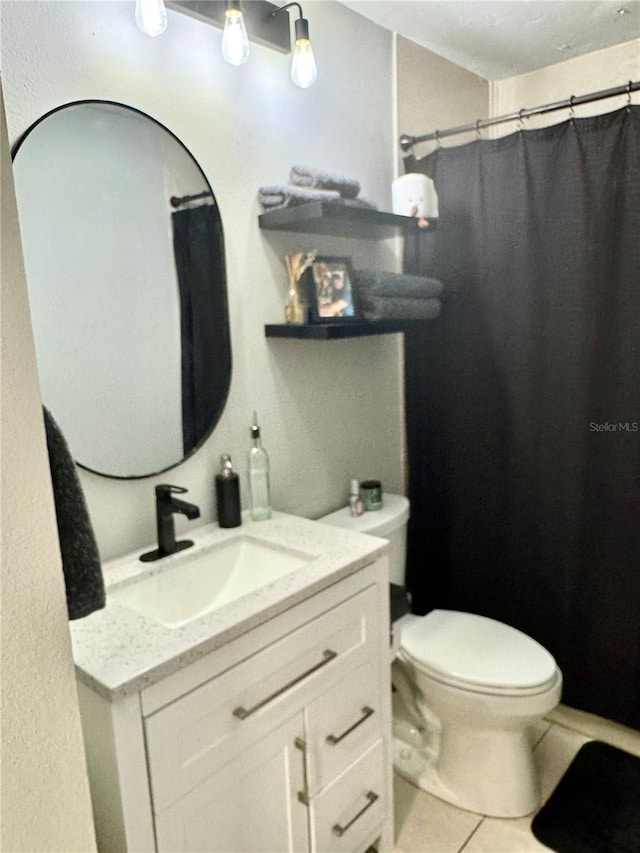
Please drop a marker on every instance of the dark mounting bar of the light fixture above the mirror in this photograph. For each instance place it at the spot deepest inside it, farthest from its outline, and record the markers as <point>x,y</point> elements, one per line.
<point>263,27</point>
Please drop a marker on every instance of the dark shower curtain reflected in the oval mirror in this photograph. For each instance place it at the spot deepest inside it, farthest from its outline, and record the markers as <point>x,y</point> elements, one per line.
<point>198,246</point>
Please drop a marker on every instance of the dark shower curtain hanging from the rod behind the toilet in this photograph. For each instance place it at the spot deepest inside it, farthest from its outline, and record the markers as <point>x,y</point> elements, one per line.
<point>523,400</point>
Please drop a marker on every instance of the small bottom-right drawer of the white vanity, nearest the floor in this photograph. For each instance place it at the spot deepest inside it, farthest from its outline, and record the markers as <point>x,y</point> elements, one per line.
<point>350,813</point>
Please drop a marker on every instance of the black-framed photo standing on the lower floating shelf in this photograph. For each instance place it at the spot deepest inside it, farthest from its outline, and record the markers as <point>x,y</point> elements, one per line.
<point>330,290</point>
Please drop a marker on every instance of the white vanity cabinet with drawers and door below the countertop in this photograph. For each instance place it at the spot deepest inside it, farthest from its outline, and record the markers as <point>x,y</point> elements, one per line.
<point>277,741</point>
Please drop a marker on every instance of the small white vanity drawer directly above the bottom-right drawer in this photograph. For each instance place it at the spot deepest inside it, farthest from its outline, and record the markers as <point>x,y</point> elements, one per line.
<point>343,724</point>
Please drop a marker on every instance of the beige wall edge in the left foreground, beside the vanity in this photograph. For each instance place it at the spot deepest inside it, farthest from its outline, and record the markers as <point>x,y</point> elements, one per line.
<point>45,795</point>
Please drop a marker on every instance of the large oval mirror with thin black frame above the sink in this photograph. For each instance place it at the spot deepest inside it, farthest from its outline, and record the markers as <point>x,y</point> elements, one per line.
<point>124,256</point>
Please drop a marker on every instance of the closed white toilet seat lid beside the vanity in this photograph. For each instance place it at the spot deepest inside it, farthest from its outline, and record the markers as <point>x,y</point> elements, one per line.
<point>477,654</point>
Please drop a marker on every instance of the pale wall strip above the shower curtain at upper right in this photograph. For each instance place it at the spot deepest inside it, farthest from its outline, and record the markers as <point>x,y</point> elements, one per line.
<point>603,69</point>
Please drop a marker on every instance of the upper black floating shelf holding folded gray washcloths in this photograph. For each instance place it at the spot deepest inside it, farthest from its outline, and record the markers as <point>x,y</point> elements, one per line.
<point>335,220</point>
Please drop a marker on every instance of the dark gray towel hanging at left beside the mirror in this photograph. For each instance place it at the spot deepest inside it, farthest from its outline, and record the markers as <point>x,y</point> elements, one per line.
<point>80,558</point>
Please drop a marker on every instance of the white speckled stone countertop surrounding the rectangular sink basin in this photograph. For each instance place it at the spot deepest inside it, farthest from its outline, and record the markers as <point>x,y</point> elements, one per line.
<point>118,651</point>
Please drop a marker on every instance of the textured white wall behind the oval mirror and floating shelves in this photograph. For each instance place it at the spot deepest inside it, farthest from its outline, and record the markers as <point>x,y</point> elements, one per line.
<point>329,411</point>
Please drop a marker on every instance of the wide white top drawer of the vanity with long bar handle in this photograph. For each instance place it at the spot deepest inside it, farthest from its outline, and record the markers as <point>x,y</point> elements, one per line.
<point>191,738</point>
